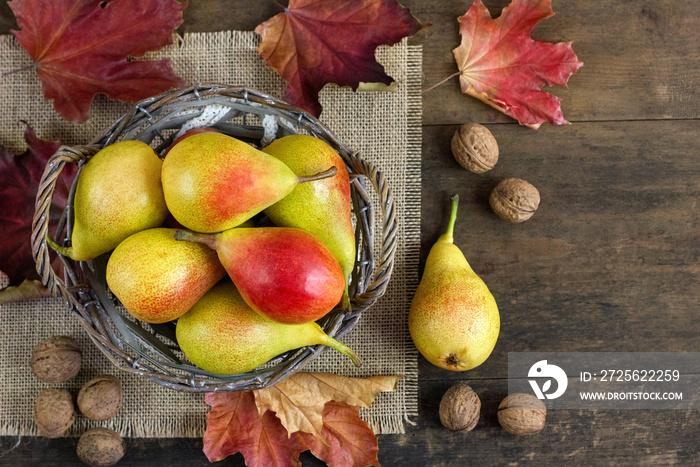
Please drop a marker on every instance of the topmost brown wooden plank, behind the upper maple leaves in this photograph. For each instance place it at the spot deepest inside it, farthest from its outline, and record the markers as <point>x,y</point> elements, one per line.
<point>640,57</point>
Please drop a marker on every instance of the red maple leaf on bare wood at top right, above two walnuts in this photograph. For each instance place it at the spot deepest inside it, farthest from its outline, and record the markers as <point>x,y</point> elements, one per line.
<point>502,66</point>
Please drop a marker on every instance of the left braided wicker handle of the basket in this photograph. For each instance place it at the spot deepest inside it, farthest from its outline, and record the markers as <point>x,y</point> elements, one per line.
<point>42,217</point>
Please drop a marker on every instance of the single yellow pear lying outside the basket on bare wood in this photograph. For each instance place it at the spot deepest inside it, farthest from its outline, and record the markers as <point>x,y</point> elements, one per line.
<point>453,319</point>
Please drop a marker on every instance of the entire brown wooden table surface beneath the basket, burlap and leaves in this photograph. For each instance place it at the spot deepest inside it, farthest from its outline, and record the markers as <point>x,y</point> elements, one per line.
<point>610,261</point>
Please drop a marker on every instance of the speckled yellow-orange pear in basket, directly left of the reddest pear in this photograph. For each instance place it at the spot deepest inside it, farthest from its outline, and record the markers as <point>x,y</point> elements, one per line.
<point>158,278</point>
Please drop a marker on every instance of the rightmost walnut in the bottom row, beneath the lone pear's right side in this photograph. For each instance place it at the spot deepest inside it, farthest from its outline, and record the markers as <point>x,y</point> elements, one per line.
<point>522,414</point>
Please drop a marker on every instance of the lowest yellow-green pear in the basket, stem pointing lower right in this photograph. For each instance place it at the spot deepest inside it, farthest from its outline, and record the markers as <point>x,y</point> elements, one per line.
<point>221,334</point>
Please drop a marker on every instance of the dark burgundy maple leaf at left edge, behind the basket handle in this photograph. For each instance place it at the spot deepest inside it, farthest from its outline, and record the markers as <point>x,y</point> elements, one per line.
<point>19,182</point>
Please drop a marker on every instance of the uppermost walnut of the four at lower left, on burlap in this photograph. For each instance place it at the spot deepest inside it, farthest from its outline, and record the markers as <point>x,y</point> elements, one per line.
<point>56,359</point>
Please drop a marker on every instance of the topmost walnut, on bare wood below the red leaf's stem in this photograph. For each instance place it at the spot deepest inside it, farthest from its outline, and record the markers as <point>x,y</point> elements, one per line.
<point>475,148</point>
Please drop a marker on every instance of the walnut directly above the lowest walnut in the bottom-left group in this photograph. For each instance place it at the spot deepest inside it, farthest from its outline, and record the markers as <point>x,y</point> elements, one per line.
<point>100,398</point>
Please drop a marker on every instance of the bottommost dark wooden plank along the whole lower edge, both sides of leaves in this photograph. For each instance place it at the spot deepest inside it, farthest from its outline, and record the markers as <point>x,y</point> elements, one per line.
<point>570,437</point>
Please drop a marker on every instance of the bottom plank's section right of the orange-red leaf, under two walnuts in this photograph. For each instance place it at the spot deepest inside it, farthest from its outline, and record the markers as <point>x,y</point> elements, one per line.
<point>570,437</point>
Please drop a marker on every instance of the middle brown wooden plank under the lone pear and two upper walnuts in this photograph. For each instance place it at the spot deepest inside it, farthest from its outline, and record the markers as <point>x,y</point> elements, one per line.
<point>611,259</point>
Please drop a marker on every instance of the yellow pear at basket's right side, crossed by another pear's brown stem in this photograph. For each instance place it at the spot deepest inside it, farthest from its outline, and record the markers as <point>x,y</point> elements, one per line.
<point>322,208</point>
